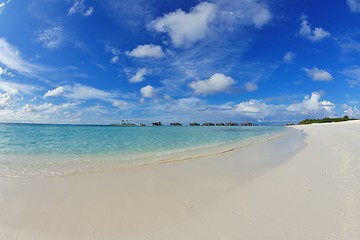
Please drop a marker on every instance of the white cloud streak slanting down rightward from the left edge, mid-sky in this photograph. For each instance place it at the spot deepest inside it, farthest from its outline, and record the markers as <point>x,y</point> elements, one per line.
<point>10,57</point>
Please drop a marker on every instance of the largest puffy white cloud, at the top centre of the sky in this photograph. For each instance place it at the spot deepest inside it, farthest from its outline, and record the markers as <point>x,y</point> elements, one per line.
<point>184,28</point>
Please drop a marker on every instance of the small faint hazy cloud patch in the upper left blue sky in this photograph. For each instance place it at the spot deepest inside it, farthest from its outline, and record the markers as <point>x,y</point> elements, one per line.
<point>51,38</point>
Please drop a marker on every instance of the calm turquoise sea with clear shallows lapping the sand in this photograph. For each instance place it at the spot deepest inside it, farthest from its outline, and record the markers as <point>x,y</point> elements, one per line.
<point>47,150</point>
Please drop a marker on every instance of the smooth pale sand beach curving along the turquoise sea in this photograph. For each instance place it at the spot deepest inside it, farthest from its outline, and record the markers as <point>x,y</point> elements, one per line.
<point>305,185</point>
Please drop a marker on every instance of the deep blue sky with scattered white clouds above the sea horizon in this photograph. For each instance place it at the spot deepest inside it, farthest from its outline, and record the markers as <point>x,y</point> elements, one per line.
<point>101,62</point>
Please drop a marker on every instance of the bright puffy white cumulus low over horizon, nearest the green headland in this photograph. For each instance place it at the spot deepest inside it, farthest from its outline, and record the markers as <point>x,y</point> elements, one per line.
<point>311,105</point>
